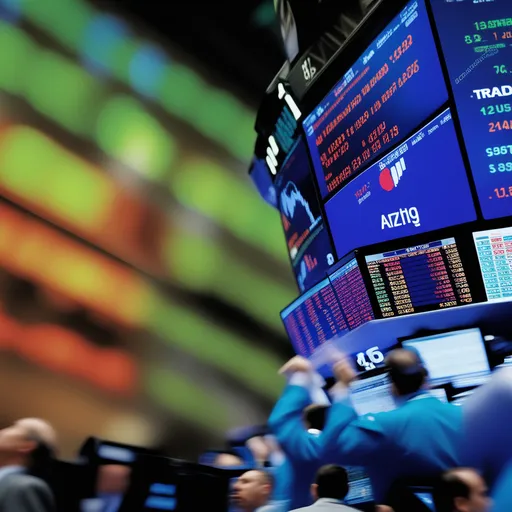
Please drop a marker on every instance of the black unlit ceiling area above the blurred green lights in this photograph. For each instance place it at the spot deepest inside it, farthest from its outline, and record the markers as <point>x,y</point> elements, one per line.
<point>238,41</point>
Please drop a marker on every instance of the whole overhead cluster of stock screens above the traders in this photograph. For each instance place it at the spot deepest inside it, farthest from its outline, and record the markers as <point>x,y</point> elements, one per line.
<point>396,195</point>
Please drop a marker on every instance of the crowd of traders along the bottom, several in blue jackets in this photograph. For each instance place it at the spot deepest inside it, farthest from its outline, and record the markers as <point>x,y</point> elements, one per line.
<point>424,455</point>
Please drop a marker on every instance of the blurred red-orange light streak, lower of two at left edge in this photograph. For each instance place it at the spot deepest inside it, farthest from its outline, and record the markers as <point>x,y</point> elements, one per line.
<point>66,352</point>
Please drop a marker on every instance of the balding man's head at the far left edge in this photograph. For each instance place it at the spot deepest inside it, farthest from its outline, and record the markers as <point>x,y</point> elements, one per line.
<point>29,442</point>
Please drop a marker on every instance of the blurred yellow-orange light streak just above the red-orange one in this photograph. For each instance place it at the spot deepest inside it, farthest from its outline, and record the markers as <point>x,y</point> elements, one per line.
<point>48,258</point>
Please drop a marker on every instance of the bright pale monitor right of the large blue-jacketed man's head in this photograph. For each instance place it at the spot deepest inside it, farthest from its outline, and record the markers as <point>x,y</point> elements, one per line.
<point>458,358</point>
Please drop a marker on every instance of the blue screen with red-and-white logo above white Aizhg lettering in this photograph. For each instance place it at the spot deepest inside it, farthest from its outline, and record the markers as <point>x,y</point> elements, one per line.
<point>419,187</point>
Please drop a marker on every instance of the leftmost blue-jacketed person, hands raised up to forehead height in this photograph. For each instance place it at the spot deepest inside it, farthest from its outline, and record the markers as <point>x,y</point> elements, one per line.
<point>299,439</point>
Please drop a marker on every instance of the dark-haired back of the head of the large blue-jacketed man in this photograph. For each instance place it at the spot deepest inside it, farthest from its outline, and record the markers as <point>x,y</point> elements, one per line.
<point>406,371</point>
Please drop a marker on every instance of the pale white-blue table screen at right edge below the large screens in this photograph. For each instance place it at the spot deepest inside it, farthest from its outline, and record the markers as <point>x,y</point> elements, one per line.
<point>494,250</point>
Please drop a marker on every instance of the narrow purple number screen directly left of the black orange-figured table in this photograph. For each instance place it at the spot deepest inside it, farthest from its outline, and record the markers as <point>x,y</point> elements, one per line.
<point>351,293</point>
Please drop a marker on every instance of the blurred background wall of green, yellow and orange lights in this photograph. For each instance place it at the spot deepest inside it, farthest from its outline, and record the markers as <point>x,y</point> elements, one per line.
<point>141,277</point>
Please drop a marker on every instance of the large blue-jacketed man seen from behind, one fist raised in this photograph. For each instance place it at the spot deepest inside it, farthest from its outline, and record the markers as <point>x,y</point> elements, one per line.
<point>420,438</point>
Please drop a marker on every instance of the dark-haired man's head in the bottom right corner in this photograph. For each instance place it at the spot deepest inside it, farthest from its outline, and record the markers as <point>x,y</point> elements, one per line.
<point>462,490</point>
